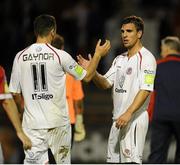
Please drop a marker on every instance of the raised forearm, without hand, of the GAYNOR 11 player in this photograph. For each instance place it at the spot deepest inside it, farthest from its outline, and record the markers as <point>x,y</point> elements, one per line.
<point>92,67</point>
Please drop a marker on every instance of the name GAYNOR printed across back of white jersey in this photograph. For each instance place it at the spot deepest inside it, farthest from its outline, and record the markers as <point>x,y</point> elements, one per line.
<point>38,56</point>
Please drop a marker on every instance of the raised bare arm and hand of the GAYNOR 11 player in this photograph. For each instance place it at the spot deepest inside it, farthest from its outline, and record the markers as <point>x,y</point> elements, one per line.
<point>100,51</point>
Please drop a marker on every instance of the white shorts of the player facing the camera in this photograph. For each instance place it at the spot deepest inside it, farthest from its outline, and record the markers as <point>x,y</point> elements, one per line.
<point>126,145</point>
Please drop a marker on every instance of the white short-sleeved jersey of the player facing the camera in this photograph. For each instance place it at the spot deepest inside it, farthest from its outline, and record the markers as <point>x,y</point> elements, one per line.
<point>128,76</point>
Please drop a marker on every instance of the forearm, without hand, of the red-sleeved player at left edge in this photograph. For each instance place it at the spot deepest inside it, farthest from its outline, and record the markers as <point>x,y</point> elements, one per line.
<point>12,112</point>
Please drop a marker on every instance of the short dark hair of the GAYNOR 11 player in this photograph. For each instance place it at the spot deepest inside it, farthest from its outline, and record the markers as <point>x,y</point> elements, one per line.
<point>43,24</point>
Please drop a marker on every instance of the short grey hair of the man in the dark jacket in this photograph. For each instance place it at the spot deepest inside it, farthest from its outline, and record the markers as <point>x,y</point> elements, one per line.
<point>172,42</point>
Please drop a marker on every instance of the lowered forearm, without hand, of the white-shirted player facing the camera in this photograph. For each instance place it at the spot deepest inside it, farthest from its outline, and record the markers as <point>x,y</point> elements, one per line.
<point>138,101</point>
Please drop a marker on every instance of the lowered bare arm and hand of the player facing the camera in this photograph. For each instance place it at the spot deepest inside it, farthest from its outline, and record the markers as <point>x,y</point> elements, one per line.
<point>137,103</point>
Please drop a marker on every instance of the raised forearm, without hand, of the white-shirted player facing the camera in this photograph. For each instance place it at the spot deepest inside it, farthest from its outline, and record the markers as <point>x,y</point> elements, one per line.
<point>100,81</point>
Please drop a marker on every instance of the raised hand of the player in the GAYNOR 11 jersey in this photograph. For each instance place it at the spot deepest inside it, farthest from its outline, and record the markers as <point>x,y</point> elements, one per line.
<point>102,50</point>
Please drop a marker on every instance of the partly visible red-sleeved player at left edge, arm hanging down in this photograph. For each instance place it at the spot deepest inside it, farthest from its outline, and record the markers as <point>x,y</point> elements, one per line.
<point>9,106</point>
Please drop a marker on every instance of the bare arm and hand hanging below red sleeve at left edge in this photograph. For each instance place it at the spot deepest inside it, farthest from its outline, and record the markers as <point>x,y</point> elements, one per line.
<point>13,114</point>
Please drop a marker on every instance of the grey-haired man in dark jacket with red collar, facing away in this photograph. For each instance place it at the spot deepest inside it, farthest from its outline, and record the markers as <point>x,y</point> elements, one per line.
<point>164,106</point>
